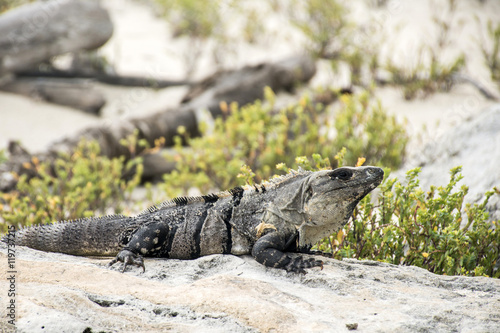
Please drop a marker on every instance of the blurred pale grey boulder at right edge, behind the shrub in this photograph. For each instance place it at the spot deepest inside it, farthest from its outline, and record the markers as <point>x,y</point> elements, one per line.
<point>475,145</point>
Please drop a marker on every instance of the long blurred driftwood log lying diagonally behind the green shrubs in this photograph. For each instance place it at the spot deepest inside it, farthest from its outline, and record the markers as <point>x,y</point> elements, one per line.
<point>242,86</point>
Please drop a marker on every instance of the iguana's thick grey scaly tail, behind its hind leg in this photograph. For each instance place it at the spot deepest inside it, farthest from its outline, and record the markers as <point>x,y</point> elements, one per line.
<point>103,236</point>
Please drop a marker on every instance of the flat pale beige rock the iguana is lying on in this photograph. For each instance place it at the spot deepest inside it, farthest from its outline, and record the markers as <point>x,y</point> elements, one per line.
<point>224,293</point>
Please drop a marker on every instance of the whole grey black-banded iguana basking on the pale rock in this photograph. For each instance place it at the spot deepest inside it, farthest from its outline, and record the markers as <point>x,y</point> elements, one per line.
<point>287,214</point>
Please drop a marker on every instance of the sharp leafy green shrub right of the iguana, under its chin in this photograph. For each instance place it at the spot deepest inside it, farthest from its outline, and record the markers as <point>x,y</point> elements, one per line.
<point>430,229</point>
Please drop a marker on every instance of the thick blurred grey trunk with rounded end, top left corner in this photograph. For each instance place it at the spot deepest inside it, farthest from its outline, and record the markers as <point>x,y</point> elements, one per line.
<point>33,33</point>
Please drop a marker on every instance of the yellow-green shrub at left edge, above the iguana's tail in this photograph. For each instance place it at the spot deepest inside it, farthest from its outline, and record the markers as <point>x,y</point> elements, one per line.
<point>74,186</point>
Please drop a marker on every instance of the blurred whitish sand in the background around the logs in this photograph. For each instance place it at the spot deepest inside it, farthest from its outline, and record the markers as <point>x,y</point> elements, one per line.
<point>142,44</point>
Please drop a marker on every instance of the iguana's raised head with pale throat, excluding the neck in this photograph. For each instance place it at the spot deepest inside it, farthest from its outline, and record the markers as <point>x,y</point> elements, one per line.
<point>329,198</point>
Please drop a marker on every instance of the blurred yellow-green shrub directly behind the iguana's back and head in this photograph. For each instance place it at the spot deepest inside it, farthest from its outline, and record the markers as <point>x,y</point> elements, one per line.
<point>258,136</point>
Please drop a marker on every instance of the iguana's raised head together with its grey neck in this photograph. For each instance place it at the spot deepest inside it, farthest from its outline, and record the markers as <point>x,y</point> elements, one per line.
<point>320,203</point>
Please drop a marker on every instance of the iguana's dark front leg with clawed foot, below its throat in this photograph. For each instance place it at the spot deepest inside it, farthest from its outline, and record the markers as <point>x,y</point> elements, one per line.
<point>268,251</point>
